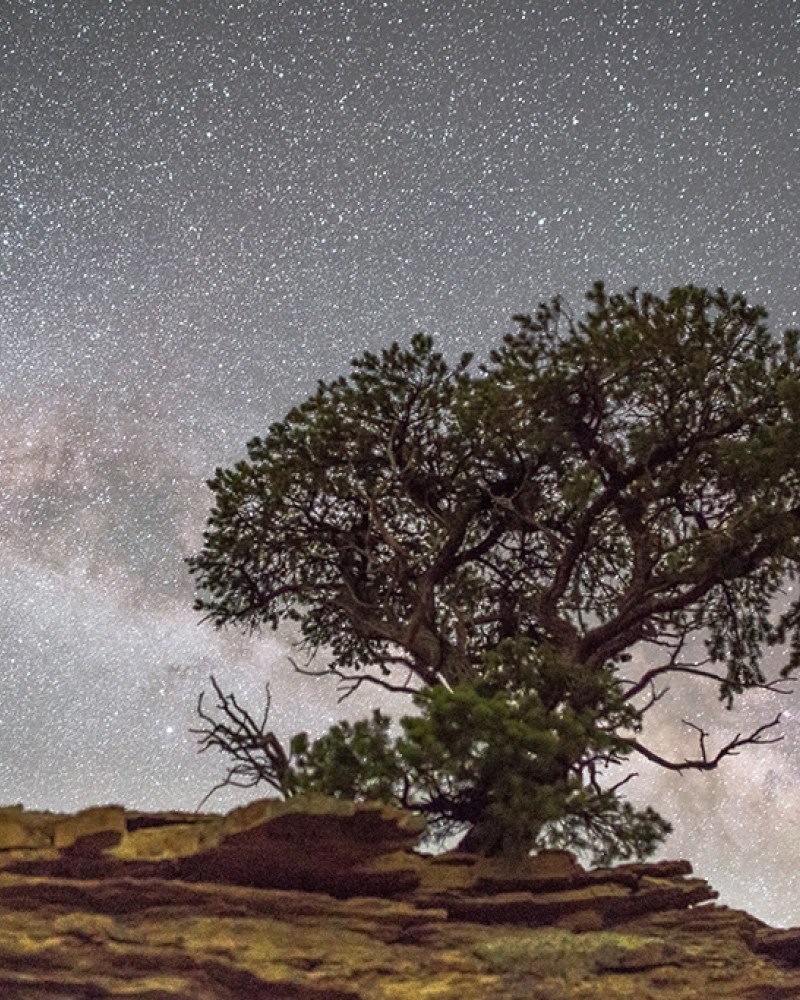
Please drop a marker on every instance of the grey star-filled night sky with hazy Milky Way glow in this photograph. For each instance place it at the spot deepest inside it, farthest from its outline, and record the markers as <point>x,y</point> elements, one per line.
<point>206,206</point>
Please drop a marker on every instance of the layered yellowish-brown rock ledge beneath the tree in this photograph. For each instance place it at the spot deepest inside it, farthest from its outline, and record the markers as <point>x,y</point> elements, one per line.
<point>318,898</point>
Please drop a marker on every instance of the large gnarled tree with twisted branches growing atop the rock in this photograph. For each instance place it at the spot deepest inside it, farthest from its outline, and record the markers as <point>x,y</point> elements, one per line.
<point>499,543</point>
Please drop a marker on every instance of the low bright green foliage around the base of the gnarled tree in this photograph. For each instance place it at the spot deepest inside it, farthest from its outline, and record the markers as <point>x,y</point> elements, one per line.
<point>489,762</point>
